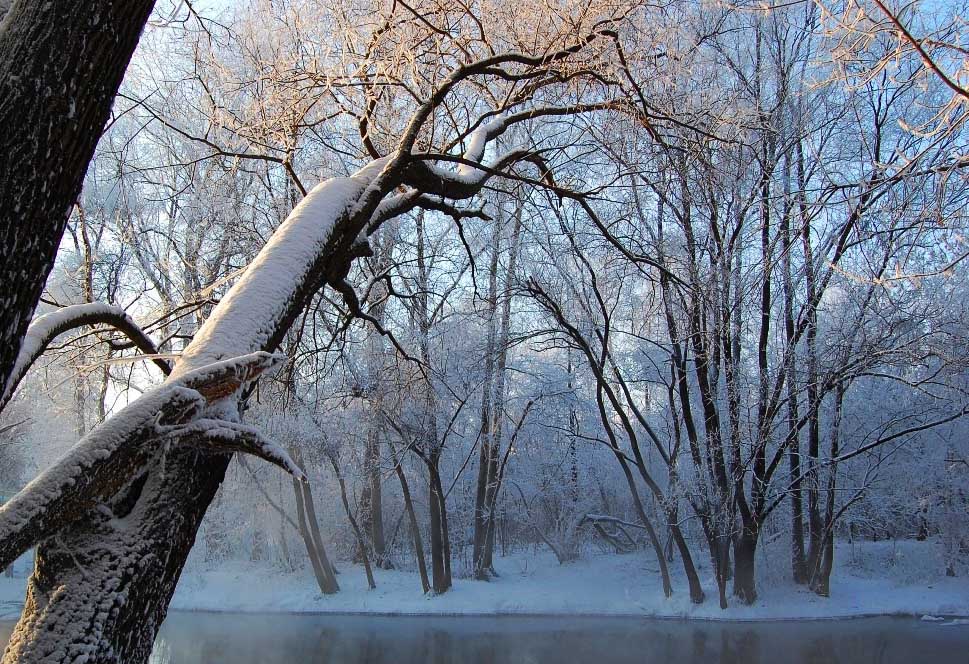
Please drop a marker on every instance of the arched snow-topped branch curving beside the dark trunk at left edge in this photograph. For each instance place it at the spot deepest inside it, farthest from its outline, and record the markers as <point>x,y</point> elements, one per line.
<point>44,329</point>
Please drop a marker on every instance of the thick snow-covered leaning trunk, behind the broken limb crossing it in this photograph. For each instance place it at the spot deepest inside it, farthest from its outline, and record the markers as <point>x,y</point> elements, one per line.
<point>101,587</point>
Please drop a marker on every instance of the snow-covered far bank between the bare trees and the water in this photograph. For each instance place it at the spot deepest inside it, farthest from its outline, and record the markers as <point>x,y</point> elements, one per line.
<point>878,578</point>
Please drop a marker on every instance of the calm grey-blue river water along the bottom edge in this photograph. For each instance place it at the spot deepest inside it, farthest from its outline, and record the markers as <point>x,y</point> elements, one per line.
<point>201,638</point>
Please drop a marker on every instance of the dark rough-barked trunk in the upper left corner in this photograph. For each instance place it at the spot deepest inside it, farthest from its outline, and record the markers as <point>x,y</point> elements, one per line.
<point>61,63</point>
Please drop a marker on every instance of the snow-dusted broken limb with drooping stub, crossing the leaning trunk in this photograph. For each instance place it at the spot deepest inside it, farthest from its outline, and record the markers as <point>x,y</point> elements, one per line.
<point>102,463</point>
